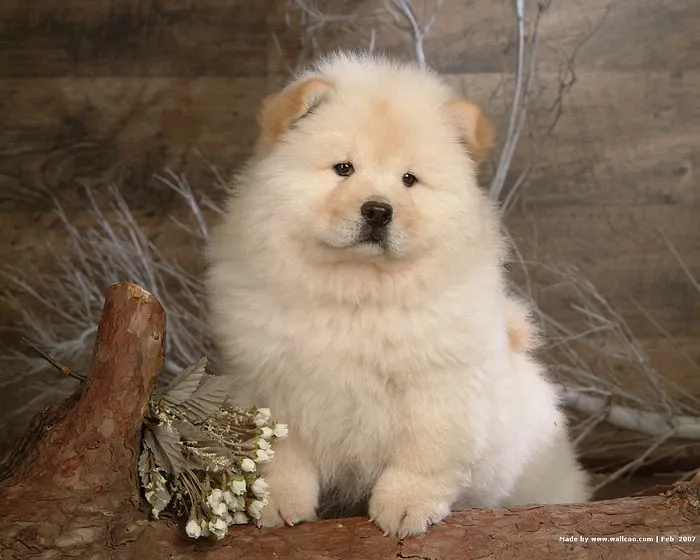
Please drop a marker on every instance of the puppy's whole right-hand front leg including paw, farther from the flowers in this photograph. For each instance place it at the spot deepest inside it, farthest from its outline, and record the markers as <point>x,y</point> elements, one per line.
<point>424,476</point>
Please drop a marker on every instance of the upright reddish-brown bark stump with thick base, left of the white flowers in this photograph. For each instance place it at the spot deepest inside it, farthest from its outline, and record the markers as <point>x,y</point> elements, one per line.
<point>74,473</point>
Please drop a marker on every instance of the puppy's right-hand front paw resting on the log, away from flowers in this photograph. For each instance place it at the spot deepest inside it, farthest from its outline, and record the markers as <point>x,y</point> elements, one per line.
<point>401,507</point>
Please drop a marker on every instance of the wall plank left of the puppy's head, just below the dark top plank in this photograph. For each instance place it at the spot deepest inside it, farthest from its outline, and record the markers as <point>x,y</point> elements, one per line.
<point>62,134</point>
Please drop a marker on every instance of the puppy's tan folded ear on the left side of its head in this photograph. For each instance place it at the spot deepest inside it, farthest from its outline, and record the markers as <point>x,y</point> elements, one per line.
<point>281,110</point>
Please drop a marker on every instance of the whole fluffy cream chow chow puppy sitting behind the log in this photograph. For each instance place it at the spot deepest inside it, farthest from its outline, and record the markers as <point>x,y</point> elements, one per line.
<point>356,288</point>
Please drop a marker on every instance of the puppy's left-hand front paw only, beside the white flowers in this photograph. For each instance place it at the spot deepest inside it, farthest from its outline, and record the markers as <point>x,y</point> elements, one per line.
<point>291,501</point>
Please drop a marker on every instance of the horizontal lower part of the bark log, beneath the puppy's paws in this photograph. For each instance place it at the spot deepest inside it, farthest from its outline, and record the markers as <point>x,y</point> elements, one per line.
<point>529,532</point>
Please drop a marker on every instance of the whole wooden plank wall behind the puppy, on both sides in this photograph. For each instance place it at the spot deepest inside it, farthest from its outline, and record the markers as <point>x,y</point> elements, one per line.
<point>95,92</point>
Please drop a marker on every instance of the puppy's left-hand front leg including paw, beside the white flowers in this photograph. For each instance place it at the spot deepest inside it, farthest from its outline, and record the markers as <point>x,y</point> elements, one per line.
<point>294,485</point>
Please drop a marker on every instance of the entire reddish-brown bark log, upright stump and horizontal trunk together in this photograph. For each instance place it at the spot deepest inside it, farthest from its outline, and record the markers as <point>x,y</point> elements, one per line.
<point>69,487</point>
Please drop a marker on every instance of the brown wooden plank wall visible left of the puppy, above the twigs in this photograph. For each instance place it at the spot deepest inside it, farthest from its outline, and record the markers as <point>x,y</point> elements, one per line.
<point>96,92</point>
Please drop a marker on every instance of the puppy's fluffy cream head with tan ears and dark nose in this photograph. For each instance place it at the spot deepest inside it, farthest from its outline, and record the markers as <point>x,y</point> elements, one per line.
<point>363,159</point>
